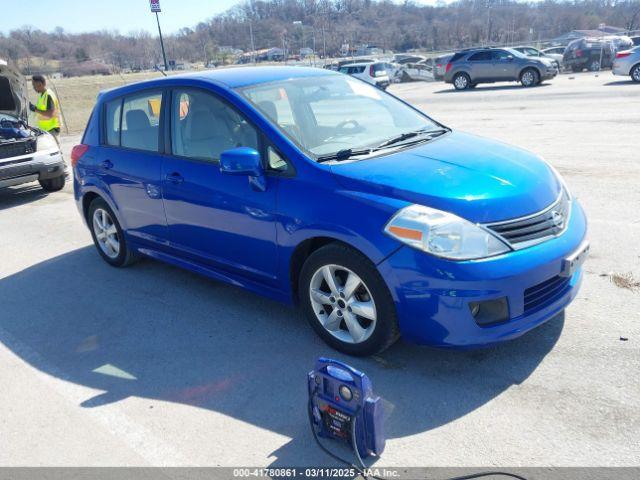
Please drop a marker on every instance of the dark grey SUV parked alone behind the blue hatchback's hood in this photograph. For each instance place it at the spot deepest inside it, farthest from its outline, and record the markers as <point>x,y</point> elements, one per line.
<point>468,68</point>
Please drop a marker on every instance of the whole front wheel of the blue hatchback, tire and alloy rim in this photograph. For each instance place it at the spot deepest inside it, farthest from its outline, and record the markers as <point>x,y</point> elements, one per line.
<point>347,302</point>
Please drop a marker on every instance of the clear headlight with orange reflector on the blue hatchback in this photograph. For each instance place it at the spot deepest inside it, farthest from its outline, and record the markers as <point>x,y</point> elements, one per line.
<point>443,234</point>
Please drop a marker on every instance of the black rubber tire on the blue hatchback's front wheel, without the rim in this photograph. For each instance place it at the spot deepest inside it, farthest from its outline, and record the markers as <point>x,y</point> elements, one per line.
<point>385,331</point>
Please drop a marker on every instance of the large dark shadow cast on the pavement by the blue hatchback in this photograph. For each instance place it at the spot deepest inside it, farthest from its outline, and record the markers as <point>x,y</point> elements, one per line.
<point>159,332</point>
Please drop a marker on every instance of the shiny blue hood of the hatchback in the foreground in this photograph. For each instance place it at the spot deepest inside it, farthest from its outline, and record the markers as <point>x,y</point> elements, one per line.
<point>478,179</point>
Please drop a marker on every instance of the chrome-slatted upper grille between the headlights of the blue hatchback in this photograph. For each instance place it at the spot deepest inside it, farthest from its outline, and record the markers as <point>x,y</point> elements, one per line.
<point>527,231</point>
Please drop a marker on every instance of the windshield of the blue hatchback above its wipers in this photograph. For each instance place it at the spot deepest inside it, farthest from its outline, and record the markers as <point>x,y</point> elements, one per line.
<point>327,114</point>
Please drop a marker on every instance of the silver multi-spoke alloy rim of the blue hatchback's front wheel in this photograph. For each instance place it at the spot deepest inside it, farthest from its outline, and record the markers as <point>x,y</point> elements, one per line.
<point>342,303</point>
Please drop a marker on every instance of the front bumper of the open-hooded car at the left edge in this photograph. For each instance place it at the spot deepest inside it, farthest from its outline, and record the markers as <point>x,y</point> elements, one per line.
<point>31,168</point>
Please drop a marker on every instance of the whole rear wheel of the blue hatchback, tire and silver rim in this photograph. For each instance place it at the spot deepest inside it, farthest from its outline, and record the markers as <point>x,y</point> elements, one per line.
<point>107,235</point>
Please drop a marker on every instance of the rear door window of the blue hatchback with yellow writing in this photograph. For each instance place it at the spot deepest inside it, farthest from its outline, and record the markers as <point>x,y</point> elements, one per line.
<point>140,125</point>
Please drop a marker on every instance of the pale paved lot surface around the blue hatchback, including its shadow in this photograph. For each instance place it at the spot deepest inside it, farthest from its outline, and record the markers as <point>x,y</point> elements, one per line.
<point>152,365</point>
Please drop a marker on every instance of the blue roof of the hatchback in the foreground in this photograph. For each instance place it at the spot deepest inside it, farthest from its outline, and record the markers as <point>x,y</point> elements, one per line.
<point>233,77</point>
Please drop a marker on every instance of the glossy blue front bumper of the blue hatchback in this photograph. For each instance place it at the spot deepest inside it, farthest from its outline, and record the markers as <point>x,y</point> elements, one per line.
<point>432,295</point>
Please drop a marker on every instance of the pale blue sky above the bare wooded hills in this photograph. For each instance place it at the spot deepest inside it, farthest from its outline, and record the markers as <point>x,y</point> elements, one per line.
<point>76,16</point>
